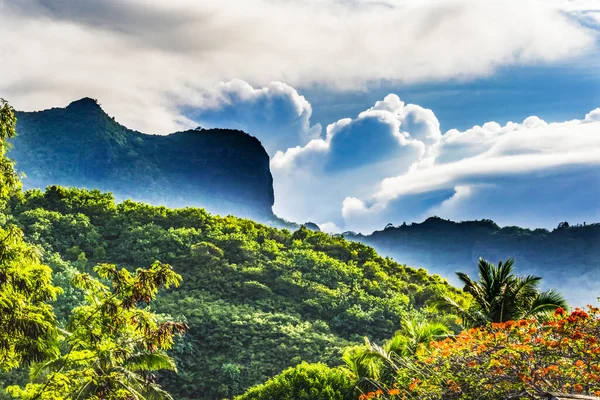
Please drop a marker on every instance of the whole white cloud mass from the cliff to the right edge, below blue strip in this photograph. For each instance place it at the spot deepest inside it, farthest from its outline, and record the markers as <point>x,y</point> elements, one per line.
<point>391,163</point>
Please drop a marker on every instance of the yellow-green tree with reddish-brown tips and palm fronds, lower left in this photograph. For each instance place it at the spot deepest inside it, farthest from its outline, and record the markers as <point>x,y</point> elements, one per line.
<point>112,345</point>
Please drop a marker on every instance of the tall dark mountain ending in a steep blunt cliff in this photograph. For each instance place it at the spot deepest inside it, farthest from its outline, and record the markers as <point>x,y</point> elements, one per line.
<point>224,171</point>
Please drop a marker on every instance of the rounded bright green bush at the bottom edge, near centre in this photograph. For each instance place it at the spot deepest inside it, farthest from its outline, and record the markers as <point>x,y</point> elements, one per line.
<point>305,382</point>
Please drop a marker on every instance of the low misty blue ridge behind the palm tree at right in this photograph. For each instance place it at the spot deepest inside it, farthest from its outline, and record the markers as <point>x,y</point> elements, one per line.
<point>568,258</point>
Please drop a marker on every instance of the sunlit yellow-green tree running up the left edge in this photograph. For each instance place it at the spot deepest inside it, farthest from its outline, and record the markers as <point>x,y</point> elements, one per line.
<point>27,323</point>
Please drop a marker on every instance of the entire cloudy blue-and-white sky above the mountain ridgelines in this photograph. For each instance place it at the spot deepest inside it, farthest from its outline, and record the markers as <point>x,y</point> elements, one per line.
<point>372,112</point>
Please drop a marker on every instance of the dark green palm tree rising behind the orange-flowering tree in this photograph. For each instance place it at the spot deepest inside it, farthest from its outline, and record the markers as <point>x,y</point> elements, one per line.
<point>501,296</point>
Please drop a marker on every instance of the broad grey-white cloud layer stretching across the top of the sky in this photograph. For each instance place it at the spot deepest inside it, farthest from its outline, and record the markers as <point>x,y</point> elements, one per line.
<point>146,61</point>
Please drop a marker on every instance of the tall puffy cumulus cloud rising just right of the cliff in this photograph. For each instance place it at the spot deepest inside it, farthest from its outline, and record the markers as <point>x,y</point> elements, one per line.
<point>312,180</point>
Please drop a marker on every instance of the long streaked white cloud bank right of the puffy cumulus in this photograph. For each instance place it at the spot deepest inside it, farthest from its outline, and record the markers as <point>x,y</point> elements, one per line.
<point>530,173</point>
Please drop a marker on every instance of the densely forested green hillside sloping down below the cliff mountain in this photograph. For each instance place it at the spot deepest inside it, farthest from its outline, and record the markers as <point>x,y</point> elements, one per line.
<point>257,299</point>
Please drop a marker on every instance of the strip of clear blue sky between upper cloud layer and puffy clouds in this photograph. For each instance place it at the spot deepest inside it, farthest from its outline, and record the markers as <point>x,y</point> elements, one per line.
<point>553,93</point>
